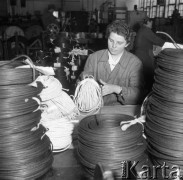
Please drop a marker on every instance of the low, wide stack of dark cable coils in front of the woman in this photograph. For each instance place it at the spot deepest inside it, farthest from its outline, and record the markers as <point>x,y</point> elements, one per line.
<point>101,140</point>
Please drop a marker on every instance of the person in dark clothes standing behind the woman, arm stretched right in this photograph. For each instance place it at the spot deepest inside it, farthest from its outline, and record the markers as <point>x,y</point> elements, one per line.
<point>144,41</point>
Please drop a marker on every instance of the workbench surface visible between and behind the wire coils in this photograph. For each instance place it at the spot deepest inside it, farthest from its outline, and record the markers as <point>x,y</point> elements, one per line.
<point>66,165</point>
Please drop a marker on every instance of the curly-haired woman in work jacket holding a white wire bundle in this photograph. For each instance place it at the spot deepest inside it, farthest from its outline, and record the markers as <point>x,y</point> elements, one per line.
<point>119,72</point>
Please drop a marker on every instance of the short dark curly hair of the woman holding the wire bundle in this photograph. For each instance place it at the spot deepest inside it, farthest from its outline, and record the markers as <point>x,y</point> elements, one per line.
<point>119,27</point>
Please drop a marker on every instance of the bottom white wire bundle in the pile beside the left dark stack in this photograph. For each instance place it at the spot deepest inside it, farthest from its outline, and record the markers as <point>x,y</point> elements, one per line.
<point>60,133</point>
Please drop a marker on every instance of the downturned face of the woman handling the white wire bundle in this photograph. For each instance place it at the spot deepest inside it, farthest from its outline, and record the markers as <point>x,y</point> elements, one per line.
<point>116,43</point>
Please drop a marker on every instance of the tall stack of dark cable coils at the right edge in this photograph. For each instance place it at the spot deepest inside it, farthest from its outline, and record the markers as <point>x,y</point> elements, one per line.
<point>164,123</point>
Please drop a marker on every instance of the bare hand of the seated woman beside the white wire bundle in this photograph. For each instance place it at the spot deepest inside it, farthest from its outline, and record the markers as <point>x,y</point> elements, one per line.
<point>109,88</point>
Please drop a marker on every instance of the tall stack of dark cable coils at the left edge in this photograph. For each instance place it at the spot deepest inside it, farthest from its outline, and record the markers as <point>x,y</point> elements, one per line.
<point>25,150</point>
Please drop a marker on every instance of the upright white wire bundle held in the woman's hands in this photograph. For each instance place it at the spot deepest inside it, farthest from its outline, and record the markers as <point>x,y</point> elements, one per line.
<point>88,95</point>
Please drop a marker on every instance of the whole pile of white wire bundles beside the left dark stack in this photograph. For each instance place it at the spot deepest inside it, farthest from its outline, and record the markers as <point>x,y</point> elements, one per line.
<point>58,110</point>
